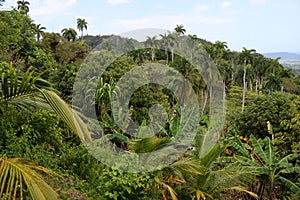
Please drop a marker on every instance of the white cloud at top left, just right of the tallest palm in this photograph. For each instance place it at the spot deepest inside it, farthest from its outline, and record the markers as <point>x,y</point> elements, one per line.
<point>51,7</point>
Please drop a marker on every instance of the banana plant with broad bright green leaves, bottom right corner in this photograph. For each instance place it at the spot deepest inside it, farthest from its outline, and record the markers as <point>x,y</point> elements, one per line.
<point>261,157</point>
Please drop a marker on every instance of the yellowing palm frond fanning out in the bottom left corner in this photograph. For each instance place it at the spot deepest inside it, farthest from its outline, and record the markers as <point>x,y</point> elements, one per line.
<point>16,171</point>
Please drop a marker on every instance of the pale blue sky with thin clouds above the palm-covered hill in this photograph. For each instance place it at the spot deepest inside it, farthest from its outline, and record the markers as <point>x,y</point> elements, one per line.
<point>264,25</point>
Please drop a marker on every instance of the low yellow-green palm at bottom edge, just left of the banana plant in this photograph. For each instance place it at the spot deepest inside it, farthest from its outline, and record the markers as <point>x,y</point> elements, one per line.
<point>213,180</point>
